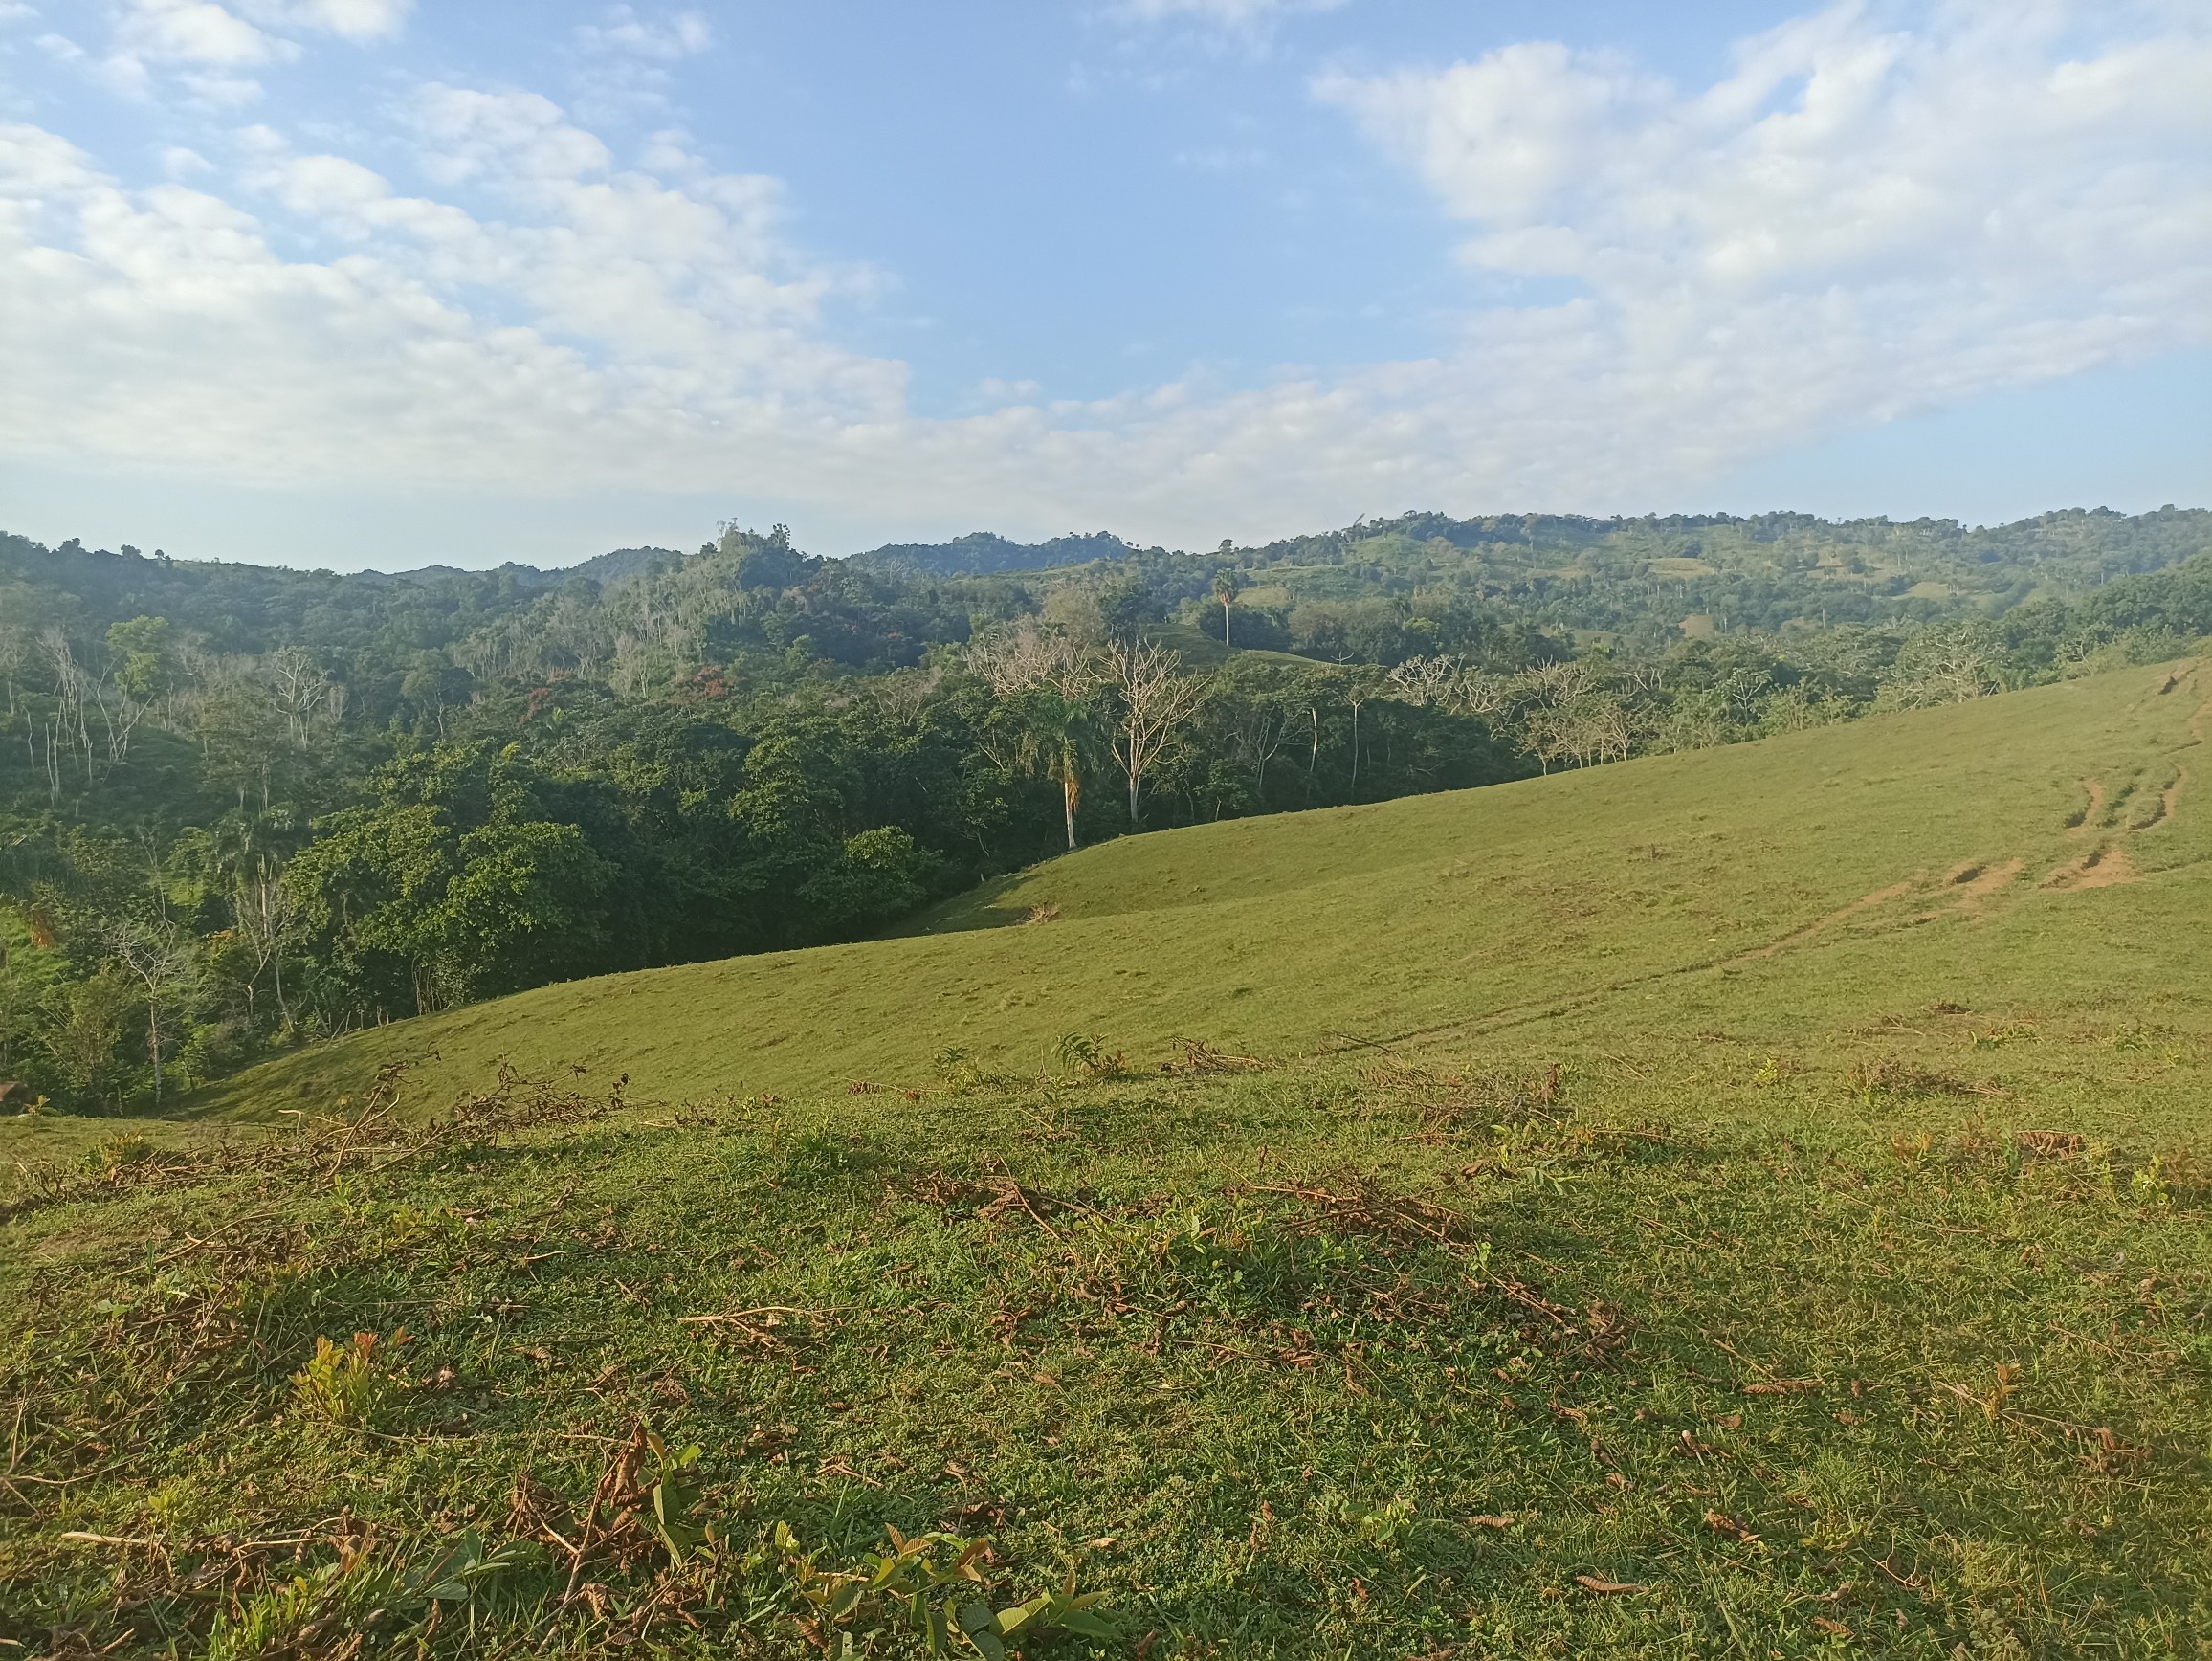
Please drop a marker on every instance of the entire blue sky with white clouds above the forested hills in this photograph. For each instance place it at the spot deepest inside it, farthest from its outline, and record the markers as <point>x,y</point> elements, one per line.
<point>399,282</point>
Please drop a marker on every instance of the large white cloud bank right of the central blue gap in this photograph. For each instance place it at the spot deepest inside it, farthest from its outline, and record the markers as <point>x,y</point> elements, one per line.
<point>1857,222</point>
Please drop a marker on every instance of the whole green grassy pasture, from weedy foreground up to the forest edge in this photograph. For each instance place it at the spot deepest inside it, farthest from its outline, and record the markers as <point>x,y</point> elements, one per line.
<point>1680,1240</point>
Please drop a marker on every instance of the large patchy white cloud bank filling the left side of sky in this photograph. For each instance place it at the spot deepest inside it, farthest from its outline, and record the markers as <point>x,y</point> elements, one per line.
<point>614,328</point>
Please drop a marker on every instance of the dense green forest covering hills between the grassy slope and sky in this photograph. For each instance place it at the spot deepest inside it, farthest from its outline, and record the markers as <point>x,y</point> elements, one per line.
<point>247,808</point>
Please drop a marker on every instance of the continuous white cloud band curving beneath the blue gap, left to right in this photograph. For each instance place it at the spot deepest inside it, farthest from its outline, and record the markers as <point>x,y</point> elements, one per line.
<point>1855,222</point>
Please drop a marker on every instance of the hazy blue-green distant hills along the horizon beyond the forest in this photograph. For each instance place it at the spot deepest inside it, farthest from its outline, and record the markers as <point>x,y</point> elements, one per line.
<point>1722,565</point>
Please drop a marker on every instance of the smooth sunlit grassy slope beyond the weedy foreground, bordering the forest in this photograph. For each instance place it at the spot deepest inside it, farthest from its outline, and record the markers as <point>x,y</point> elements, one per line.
<point>1616,901</point>
